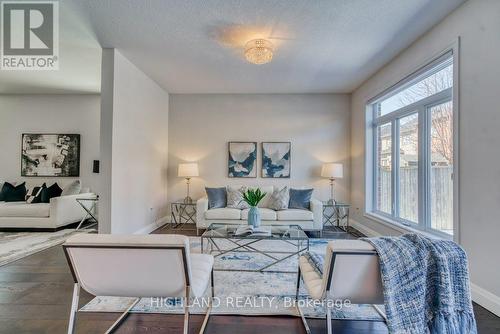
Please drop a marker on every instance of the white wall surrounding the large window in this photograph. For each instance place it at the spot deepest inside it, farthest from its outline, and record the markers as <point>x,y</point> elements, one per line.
<point>477,23</point>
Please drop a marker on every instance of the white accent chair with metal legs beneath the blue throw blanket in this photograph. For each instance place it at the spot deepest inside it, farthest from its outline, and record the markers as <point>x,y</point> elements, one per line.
<point>351,272</point>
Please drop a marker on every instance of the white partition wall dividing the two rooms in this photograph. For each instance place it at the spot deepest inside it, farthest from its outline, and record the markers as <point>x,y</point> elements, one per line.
<point>134,148</point>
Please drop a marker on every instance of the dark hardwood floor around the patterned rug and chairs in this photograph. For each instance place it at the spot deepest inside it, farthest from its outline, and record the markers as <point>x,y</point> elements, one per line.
<point>35,297</point>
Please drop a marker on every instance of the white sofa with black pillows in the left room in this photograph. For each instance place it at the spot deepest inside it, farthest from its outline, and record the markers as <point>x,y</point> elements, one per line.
<point>59,212</point>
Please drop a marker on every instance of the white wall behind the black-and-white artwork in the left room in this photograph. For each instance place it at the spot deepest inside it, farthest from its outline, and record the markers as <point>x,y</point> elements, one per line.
<point>78,114</point>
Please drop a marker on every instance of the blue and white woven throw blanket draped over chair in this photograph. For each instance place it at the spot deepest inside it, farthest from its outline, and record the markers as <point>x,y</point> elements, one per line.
<point>426,285</point>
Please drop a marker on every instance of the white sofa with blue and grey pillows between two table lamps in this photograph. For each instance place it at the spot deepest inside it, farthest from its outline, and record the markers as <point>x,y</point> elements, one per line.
<point>309,220</point>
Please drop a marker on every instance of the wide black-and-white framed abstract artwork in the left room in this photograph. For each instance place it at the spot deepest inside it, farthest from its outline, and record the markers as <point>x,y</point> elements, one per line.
<point>50,155</point>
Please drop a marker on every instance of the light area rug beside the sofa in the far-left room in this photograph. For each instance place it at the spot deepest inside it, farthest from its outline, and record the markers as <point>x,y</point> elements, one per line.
<point>16,245</point>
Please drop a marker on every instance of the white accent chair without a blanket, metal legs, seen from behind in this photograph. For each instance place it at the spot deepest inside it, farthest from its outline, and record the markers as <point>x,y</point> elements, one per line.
<point>137,266</point>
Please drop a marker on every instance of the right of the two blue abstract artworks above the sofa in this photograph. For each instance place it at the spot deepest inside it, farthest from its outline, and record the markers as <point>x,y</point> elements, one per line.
<point>276,161</point>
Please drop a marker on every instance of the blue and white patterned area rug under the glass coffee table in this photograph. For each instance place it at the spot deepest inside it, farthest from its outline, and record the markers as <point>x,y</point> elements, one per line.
<point>245,293</point>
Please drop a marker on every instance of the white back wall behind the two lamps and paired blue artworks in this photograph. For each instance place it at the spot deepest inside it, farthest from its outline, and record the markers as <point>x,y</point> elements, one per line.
<point>200,127</point>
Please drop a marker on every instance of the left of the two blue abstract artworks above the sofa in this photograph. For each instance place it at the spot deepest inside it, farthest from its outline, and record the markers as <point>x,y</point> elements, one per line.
<point>242,159</point>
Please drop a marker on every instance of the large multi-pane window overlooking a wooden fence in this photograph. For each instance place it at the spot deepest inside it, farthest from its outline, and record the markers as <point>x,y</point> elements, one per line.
<point>411,139</point>
